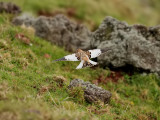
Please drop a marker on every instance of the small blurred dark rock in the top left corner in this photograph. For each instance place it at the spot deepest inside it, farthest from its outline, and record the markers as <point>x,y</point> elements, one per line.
<point>9,7</point>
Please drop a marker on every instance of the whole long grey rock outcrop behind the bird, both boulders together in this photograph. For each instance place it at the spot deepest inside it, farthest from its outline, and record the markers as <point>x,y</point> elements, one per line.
<point>134,45</point>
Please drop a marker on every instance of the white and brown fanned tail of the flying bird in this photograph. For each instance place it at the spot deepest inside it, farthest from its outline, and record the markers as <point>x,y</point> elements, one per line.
<point>84,64</point>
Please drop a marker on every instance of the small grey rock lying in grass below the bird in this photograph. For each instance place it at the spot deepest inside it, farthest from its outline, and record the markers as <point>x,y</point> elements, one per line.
<point>92,93</point>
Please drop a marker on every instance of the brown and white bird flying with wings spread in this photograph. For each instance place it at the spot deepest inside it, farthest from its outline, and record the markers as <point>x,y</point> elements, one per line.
<point>84,57</point>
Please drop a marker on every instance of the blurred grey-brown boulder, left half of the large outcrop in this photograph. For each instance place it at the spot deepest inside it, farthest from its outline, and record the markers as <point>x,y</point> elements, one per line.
<point>58,30</point>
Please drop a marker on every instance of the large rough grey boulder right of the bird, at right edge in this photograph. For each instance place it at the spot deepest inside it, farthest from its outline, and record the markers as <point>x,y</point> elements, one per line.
<point>135,45</point>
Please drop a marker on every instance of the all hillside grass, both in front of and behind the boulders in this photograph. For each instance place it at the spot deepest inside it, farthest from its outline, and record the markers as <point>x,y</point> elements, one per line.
<point>32,87</point>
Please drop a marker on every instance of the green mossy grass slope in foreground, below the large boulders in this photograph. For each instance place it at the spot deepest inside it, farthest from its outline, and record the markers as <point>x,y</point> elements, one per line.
<point>29,89</point>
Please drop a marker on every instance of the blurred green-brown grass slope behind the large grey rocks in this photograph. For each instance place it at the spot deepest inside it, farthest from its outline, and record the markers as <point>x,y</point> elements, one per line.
<point>92,12</point>
